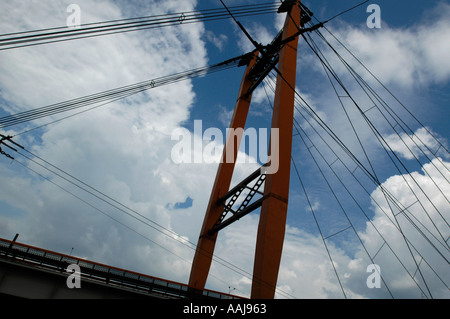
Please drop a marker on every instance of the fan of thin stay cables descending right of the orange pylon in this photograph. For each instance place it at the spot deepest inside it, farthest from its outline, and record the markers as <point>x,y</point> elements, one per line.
<point>342,186</point>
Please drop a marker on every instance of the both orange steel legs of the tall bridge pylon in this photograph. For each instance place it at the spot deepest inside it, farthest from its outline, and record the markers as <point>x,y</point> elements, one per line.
<point>271,229</point>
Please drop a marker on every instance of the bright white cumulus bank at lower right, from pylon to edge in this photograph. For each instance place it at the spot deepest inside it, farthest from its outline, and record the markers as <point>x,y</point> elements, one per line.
<point>306,270</point>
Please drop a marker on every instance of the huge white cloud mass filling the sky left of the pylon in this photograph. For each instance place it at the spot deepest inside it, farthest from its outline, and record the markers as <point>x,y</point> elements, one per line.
<point>120,149</point>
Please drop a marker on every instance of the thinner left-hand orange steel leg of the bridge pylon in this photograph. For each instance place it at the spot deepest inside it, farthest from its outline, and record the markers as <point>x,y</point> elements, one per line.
<point>206,243</point>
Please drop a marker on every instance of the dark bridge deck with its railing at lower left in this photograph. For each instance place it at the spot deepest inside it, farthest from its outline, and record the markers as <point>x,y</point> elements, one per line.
<point>32,272</point>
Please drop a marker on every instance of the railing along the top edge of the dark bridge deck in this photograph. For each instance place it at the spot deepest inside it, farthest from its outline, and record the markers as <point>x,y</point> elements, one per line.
<point>54,261</point>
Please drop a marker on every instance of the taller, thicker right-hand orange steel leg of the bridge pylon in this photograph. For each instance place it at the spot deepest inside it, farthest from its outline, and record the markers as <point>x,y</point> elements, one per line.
<point>272,223</point>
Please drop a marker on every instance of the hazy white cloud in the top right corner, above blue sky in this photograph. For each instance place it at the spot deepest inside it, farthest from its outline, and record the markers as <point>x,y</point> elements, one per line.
<point>407,57</point>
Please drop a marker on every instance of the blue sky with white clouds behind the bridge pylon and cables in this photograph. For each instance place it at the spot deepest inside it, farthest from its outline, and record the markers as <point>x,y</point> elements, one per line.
<point>124,149</point>
